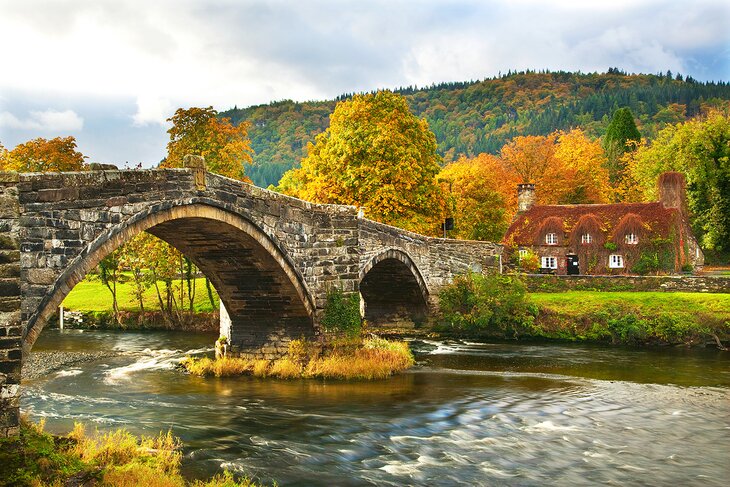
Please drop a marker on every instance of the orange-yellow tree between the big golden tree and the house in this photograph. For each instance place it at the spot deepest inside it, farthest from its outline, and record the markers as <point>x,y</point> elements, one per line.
<point>480,197</point>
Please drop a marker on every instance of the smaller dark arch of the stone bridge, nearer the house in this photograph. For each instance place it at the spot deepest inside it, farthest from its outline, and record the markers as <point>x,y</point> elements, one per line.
<point>390,271</point>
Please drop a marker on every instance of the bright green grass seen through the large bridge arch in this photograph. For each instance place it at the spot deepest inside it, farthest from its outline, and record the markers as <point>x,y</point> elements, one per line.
<point>91,295</point>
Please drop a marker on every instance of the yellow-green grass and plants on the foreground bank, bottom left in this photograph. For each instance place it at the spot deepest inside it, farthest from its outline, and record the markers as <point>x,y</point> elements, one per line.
<point>116,458</point>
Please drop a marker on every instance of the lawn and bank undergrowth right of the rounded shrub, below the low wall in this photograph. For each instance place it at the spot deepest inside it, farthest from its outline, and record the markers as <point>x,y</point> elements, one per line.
<point>633,317</point>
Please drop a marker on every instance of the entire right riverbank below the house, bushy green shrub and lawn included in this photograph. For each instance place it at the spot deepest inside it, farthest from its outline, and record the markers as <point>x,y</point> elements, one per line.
<point>499,306</point>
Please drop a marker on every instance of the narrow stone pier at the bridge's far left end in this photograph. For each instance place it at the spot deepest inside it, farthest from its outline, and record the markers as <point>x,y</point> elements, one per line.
<point>10,326</point>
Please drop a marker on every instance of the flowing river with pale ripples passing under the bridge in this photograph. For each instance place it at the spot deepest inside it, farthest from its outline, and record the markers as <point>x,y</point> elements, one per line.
<point>474,414</point>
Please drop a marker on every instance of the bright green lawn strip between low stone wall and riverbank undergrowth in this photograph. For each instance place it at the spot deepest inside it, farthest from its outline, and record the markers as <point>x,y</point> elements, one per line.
<point>688,304</point>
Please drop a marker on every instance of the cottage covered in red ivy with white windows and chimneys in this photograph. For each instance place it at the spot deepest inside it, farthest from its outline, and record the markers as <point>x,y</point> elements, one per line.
<point>622,238</point>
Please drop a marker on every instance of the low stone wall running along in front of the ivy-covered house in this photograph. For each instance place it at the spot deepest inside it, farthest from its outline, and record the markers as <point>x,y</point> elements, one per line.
<point>693,284</point>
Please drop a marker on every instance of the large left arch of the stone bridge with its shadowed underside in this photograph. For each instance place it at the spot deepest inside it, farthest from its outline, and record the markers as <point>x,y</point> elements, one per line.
<point>256,280</point>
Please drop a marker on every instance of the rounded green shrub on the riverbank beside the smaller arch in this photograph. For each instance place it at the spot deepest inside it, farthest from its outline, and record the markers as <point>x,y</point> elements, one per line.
<point>491,303</point>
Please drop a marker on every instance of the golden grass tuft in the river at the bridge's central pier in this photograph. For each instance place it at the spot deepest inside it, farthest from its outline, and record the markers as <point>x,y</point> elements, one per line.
<point>368,359</point>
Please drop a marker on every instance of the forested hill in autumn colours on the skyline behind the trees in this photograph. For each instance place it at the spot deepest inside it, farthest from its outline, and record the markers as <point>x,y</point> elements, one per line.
<point>469,118</point>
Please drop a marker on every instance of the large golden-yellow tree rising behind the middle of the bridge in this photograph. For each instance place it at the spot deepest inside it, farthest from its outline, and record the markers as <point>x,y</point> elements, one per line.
<point>376,154</point>
